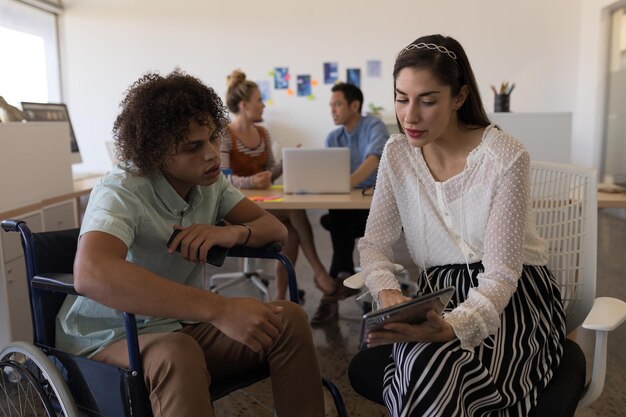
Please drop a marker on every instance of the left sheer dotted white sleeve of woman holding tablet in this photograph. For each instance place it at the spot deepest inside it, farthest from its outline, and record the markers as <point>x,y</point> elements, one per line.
<point>382,230</point>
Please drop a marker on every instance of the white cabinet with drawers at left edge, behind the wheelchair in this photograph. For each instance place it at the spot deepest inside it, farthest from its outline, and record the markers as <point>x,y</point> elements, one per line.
<point>41,193</point>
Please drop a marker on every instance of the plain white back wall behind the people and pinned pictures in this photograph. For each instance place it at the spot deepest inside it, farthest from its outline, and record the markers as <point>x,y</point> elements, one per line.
<point>107,45</point>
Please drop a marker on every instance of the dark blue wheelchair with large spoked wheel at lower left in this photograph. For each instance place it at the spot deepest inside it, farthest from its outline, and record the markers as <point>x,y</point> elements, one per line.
<point>39,380</point>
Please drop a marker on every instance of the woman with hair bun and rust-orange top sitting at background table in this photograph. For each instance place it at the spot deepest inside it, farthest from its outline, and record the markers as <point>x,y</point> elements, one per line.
<point>246,149</point>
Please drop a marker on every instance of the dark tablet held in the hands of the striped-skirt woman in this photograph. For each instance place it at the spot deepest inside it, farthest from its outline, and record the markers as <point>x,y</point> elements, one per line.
<point>412,311</point>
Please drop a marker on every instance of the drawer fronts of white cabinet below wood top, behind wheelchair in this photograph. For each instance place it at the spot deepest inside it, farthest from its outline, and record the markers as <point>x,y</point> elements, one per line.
<point>16,323</point>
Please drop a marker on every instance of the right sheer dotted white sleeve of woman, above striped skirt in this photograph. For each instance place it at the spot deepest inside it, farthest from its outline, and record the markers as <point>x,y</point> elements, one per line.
<point>479,315</point>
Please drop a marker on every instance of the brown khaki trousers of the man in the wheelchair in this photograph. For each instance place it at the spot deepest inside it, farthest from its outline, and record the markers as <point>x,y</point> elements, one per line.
<point>179,367</point>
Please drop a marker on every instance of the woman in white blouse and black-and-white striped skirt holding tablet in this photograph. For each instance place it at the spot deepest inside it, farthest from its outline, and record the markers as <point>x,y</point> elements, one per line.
<point>459,188</point>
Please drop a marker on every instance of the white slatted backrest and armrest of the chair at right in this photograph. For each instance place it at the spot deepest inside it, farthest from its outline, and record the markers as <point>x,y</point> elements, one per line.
<point>566,210</point>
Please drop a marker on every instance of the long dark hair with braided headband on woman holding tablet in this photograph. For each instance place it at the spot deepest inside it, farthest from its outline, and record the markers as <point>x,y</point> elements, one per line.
<point>450,65</point>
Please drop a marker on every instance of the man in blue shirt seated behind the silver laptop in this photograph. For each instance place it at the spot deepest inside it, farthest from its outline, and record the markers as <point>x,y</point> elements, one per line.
<point>366,137</point>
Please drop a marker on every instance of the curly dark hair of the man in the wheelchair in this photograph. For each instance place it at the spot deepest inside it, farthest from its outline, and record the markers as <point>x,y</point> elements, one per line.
<point>155,117</point>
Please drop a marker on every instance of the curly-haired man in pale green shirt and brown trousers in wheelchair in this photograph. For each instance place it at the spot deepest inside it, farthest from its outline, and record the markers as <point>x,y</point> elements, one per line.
<point>167,137</point>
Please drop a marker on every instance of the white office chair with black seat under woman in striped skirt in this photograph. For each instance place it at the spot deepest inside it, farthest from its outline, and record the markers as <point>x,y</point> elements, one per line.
<point>565,209</point>
